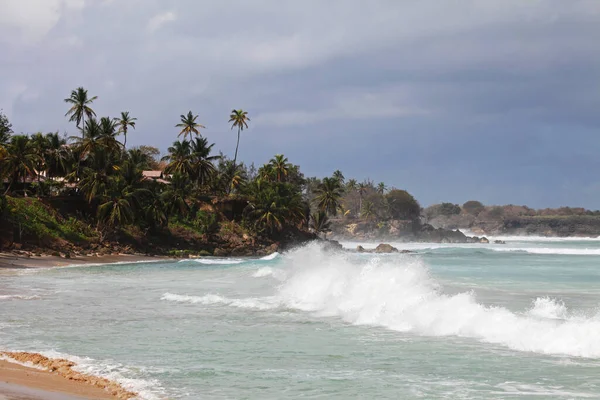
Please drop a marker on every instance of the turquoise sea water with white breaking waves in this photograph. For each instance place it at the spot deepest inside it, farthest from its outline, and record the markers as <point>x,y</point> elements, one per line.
<point>519,320</point>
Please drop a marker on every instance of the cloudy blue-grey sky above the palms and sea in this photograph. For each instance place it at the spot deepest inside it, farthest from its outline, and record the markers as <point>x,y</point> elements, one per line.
<point>452,100</point>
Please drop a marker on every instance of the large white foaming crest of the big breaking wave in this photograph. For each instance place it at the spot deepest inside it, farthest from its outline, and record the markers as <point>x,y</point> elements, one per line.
<point>399,294</point>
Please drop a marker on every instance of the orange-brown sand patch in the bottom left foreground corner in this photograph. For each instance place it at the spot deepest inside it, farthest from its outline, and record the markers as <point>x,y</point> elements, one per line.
<point>32,376</point>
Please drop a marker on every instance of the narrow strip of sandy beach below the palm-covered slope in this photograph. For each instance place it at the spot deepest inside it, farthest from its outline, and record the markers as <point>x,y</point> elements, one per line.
<point>19,261</point>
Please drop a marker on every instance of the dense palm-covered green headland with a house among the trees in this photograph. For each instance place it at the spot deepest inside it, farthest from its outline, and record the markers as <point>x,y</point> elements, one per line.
<point>90,189</point>
